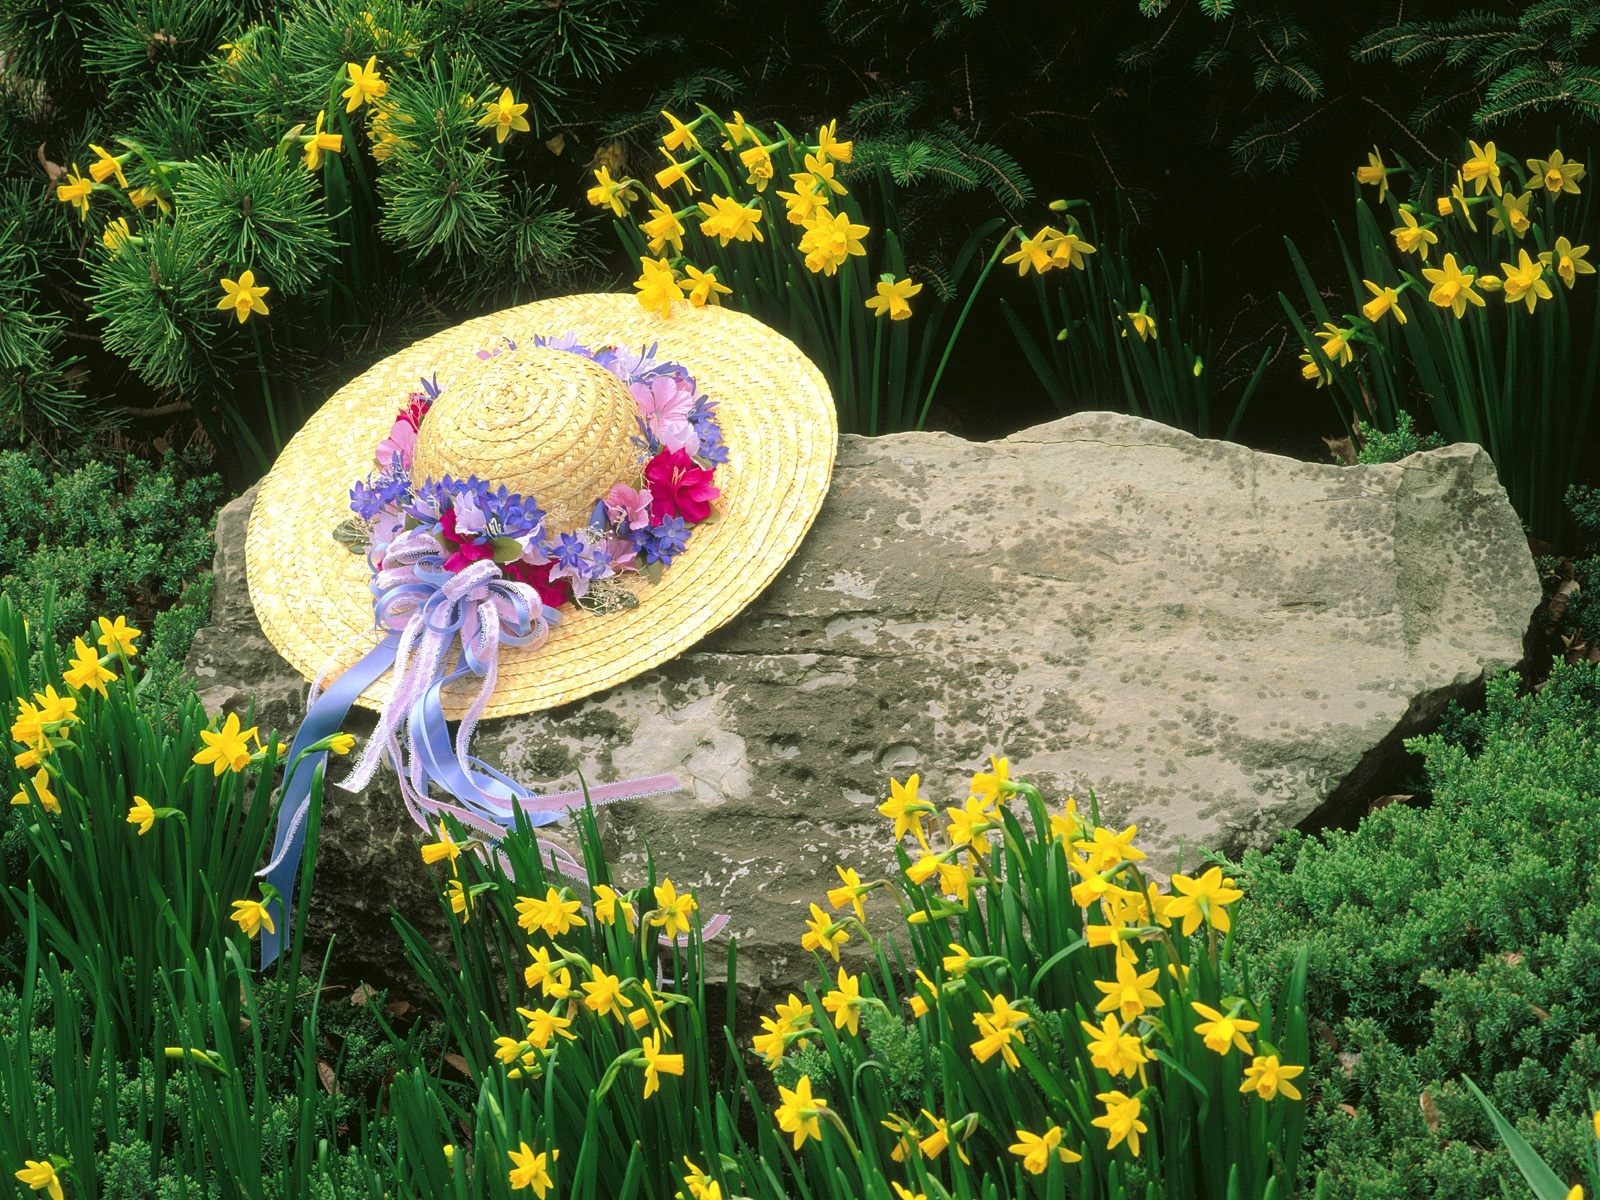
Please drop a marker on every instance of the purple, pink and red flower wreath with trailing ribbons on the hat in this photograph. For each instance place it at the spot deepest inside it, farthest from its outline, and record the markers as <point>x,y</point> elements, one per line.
<point>463,569</point>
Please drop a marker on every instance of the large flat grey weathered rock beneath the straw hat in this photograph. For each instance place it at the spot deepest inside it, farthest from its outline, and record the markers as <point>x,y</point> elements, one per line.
<point>1222,644</point>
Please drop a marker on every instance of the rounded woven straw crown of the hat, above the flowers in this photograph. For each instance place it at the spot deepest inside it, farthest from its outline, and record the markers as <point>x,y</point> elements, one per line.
<point>548,425</point>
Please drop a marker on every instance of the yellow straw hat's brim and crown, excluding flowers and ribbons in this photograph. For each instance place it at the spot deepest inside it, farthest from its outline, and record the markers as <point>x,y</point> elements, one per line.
<point>556,428</point>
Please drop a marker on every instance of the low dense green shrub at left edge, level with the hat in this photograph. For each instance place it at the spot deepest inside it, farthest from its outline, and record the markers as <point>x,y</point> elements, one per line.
<point>111,538</point>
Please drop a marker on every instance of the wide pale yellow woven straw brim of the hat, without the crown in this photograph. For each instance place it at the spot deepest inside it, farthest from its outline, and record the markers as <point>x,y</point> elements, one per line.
<point>313,594</point>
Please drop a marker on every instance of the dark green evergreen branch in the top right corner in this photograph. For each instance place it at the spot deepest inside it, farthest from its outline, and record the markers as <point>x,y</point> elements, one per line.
<point>1529,58</point>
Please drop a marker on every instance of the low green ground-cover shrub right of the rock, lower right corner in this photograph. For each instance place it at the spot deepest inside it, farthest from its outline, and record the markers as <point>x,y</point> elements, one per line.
<point>1449,942</point>
